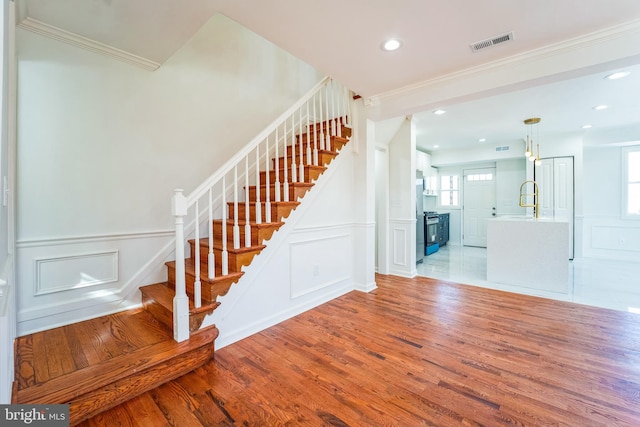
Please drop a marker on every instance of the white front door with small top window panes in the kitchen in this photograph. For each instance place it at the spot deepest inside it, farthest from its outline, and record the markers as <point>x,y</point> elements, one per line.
<point>479,205</point>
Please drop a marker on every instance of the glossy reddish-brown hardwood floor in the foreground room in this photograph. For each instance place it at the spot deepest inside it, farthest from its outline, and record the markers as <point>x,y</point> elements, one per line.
<point>414,352</point>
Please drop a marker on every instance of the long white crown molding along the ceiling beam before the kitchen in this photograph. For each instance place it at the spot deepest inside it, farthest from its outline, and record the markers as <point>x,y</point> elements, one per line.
<point>550,51</point>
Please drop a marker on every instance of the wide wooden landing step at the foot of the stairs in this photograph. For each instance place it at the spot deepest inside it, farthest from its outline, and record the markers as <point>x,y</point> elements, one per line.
<point>99,363</point>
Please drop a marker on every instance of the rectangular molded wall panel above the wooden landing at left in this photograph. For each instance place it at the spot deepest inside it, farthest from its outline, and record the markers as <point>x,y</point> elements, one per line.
<point>64,273</point>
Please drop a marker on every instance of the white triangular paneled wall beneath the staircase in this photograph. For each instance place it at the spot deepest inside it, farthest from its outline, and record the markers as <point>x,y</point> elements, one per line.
<point>324,250</point>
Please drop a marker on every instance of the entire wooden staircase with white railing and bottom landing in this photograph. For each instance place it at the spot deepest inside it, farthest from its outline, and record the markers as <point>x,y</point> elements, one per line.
<point>99,363</point>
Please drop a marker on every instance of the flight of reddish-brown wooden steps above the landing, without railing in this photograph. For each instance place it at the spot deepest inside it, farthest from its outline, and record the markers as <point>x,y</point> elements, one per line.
<point>158,298</point>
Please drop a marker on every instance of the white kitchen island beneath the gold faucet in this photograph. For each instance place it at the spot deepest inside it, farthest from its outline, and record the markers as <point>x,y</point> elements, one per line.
<point>529,252</point>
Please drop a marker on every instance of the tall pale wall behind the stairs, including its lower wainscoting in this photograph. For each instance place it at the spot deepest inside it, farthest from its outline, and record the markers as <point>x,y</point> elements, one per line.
<point>102,144</point>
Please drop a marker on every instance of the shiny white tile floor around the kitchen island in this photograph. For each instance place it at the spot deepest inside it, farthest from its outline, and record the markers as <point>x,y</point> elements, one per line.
<point>597,282</point>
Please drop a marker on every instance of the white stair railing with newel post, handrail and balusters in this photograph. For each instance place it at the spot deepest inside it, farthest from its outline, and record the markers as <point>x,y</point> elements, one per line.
<point>300,136</point>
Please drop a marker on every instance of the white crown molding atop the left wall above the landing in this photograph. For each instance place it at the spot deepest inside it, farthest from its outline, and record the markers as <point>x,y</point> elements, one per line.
<point>56,33</point>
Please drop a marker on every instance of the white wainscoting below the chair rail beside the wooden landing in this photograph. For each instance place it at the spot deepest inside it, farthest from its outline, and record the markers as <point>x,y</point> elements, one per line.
<point>61,281</point>
